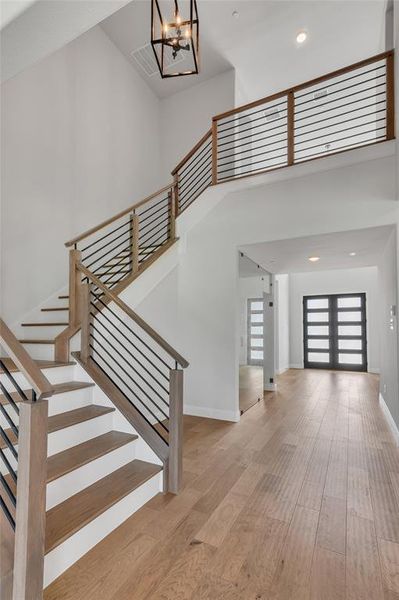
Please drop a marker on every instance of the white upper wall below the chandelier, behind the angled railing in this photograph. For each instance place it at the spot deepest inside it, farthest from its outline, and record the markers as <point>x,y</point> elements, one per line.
<point>187,116</point>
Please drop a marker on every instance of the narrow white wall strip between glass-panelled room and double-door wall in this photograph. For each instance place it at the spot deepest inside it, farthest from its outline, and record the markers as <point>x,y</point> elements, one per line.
<point>282,325</point>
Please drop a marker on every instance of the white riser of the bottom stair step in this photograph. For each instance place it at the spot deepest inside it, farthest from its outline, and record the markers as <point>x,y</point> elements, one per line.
<point>67,553</point>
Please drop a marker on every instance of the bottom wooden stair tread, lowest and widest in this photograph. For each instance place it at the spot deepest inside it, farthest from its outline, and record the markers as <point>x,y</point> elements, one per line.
<point>67,518</point>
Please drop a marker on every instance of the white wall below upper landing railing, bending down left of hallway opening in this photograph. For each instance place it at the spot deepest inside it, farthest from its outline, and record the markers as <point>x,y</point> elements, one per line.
<point>345,198</point>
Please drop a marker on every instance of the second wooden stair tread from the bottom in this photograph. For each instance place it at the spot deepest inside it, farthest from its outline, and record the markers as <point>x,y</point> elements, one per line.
<point>64,462</point>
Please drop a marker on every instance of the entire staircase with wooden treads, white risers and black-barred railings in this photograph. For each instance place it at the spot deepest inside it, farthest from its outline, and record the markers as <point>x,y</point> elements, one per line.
<point>89,436</point>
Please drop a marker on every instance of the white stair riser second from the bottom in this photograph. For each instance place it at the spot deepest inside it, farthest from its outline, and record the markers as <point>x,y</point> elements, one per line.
<point>64,487</point>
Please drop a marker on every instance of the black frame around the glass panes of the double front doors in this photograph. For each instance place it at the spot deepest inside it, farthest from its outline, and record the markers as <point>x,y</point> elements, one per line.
<point>333,336</point>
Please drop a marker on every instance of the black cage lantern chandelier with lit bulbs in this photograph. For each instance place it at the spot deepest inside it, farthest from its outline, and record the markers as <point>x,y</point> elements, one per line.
<point>174,37</point>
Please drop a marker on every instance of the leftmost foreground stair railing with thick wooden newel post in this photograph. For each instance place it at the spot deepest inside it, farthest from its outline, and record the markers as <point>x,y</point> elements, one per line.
<point>23,461</point>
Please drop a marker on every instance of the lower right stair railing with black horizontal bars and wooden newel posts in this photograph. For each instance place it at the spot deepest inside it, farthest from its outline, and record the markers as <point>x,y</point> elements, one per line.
<point>135,359</point>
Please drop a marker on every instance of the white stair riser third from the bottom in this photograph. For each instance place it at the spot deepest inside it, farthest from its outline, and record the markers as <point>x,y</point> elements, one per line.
<point>70,436</point>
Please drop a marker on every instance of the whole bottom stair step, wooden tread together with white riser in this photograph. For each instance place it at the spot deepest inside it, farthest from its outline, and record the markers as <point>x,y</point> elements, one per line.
<point>83,520</point>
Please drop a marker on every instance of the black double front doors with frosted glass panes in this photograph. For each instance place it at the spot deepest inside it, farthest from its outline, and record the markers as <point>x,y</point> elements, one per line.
<point>335,332</point>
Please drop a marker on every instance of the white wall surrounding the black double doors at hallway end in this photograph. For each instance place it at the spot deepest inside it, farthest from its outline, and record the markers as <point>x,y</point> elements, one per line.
<point>339,281</point>
